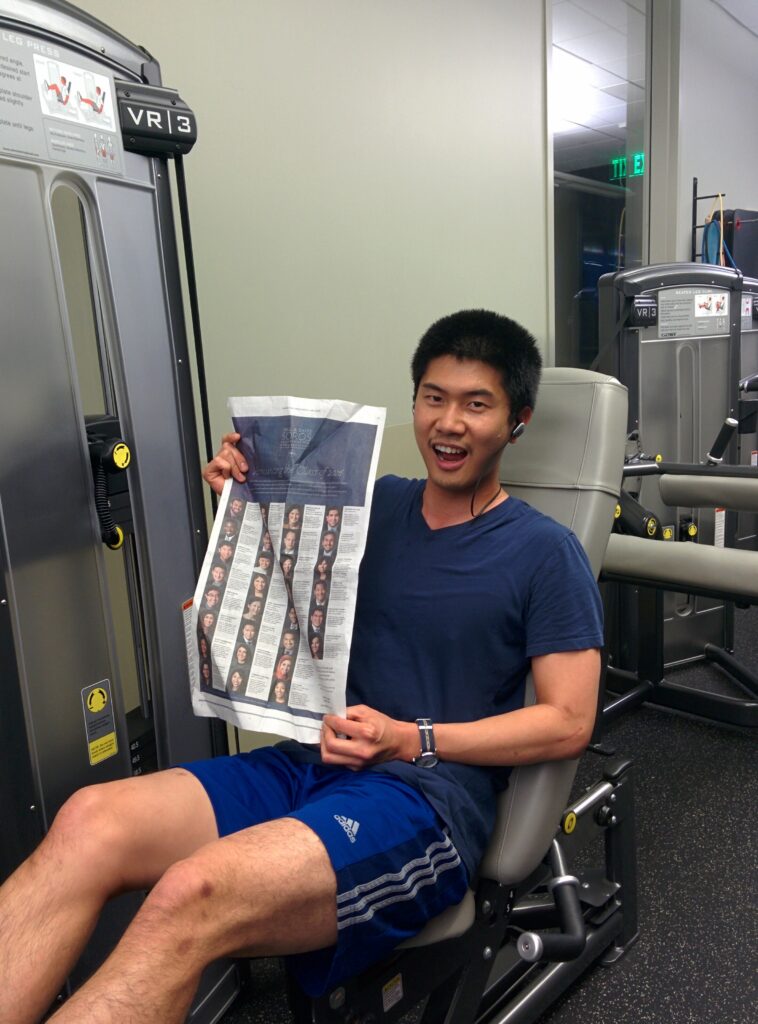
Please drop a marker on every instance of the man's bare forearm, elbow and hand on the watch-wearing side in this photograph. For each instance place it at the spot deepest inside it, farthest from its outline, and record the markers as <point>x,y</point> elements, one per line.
<point>558,727</point>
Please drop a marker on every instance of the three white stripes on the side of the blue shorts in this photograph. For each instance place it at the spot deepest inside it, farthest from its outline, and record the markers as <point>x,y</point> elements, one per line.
<point>364,902</point>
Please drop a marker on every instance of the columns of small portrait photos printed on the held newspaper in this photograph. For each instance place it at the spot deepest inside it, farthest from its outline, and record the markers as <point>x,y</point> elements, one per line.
<point>292,630</point>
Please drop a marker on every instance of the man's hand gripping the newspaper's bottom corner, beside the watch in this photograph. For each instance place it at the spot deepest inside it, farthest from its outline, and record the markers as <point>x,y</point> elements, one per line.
<point>366,738</point>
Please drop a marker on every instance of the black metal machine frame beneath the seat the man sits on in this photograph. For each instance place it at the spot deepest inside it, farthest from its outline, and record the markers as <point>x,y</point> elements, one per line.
<point>484,976</point>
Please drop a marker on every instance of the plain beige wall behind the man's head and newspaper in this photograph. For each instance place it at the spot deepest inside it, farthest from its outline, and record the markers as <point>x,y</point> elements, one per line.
<point>363,167</point>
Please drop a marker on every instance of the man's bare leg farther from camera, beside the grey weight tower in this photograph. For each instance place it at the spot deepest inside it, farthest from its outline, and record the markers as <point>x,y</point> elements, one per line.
<point>106,840</point>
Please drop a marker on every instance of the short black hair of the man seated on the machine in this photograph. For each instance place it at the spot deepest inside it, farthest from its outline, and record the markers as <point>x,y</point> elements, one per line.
<point>490,338</point>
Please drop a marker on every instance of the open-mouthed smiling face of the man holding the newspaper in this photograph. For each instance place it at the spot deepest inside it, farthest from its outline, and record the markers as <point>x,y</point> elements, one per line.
<point>462,422</point>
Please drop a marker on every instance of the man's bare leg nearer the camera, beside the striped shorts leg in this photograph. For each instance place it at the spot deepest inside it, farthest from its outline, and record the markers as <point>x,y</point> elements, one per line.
<point>270,889</point>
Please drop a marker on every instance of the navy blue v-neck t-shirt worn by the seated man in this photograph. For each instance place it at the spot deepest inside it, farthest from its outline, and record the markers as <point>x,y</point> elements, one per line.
<point>446,624</point>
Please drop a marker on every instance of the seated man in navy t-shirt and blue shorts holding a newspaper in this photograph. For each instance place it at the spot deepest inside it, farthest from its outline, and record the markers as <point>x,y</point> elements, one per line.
<point>235,865</point>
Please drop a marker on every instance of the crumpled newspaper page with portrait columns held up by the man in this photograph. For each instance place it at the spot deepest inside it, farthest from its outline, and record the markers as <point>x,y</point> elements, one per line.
<point>269,630</point>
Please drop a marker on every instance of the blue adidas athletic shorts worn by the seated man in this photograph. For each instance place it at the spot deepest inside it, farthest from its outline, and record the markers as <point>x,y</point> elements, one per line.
<point>396,865</point>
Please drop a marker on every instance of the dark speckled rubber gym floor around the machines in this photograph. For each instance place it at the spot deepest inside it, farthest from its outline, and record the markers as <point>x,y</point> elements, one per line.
<point>696,961</point>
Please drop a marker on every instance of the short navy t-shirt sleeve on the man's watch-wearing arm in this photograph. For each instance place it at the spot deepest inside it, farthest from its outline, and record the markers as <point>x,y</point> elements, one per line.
<point>564,610</point>
